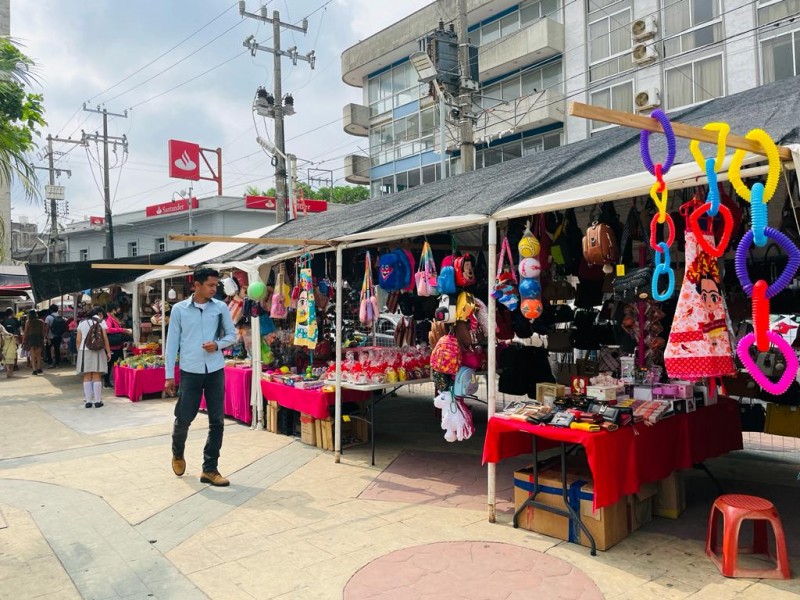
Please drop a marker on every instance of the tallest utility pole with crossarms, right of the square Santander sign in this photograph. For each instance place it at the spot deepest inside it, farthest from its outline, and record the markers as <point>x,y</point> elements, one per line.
<point>279,106</point>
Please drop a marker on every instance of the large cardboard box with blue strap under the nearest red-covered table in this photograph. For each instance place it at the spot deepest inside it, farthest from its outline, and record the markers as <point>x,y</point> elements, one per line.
<point>607,525</point>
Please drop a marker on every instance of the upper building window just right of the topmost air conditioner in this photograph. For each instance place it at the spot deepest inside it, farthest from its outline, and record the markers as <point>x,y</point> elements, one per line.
<point>690,24</point>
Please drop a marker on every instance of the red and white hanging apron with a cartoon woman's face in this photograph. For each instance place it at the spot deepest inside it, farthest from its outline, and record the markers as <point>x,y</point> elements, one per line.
<point>700,341</point>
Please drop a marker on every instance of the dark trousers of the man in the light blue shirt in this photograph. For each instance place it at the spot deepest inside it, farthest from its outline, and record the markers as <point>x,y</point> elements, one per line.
<point>192,388</point>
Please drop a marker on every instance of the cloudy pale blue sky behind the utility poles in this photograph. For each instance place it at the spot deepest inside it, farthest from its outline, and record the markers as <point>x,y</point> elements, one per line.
<point>109,53</point>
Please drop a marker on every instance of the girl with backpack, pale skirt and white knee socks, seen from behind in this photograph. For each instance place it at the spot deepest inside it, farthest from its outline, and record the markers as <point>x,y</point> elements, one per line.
<point>93,354</point>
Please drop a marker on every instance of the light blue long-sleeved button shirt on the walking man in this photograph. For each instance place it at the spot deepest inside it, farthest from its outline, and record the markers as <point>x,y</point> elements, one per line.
<point>190,327</point>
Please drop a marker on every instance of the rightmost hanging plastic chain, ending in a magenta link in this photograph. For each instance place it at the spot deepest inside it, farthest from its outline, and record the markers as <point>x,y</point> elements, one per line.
<point>762,291</point>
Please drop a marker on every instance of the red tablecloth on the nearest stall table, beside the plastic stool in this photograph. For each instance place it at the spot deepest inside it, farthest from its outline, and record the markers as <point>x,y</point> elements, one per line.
<point>621,460</point>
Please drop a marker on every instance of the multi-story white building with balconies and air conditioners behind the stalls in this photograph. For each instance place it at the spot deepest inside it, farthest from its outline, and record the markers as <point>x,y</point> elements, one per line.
<point>536,56</point>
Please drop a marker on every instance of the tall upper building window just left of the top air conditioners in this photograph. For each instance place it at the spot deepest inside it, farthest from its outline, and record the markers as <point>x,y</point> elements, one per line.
<point>609,38</point>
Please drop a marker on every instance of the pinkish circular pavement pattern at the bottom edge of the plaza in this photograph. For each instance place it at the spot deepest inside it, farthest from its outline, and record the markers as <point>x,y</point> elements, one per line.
<point>469,570</point>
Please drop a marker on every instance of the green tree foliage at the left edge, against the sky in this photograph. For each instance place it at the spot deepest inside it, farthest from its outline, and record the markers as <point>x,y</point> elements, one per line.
<point>21,117</point>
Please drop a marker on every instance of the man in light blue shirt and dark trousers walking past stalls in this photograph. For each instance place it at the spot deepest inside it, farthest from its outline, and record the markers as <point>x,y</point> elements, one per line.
<point>199,328</point>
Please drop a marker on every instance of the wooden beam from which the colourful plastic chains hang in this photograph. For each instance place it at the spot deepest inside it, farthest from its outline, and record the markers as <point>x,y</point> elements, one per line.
<point>689,132</point>
